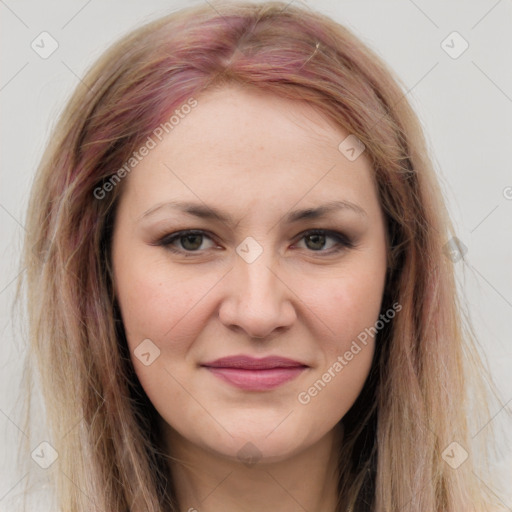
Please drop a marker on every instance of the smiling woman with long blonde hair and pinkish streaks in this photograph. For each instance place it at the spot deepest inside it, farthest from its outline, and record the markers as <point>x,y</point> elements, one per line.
<point>240,290</point>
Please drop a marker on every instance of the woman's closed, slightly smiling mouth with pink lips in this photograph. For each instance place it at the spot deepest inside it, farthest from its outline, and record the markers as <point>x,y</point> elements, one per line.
<point>254,374</point>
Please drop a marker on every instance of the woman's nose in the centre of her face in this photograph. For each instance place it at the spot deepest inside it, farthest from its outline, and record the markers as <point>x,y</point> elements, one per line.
<point>257,300</point>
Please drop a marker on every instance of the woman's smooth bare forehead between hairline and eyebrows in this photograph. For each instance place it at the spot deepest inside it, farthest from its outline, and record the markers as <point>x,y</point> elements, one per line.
<point>253,145</point>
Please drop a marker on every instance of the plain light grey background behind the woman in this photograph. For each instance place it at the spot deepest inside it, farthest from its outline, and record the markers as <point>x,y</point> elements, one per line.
<point>464,103</point>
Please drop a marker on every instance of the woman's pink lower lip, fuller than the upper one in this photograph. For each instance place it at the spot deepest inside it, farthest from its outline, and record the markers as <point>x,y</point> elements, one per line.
<point>257,380</point>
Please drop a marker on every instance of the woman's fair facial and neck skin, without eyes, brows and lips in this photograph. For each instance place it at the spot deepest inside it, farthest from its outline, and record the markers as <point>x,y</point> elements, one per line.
<point>256,157</point>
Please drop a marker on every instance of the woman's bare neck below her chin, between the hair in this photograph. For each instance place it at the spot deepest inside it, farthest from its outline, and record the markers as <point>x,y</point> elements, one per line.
<point>208,482</point>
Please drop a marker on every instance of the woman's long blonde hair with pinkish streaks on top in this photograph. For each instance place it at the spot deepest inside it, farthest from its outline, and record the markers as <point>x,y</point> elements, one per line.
<point>426,368</point>
